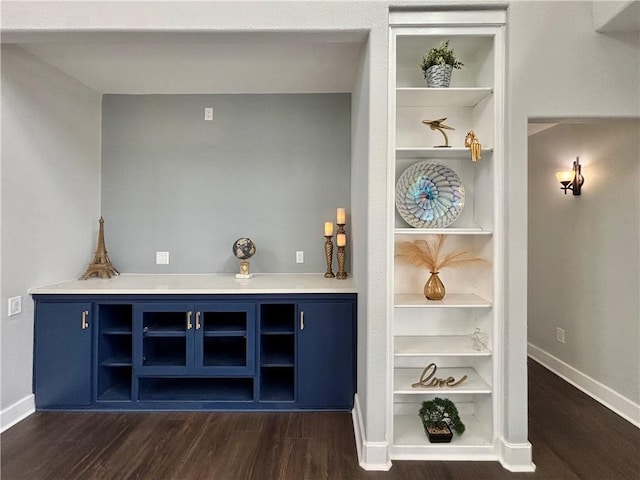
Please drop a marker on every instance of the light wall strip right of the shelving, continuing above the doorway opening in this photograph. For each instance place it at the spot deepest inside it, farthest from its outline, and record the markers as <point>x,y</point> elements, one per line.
<point>558,66</point>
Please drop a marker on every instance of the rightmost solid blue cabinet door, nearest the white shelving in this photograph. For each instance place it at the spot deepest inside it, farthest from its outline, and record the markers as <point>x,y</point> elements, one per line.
<point>326,355</point>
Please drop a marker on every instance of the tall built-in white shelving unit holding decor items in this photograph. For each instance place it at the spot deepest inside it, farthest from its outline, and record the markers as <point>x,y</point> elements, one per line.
<point>425,331</point>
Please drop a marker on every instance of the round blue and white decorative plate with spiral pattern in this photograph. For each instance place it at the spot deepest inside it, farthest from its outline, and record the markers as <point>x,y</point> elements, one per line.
<point>429,195</point>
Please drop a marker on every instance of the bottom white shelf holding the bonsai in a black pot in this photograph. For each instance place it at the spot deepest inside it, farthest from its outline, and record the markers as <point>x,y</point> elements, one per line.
<point>410,442</point>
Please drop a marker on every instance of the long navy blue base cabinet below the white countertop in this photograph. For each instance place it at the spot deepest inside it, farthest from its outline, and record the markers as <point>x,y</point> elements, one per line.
<point>212,352</point>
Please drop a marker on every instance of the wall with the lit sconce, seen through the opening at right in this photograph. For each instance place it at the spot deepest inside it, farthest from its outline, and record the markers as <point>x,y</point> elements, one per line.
<point>584,258</point>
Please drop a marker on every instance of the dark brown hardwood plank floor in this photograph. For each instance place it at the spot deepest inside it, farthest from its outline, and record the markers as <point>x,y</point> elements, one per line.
<point>573,437</point>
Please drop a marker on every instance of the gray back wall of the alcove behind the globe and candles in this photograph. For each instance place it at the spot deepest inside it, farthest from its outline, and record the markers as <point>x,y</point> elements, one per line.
<point>272,167</point>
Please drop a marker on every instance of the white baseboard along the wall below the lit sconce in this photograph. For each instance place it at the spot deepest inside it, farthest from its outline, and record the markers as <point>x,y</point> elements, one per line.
<point>608,397</point>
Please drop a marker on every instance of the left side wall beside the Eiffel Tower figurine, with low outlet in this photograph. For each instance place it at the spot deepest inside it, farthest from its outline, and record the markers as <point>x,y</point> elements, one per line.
<point>50,197</point>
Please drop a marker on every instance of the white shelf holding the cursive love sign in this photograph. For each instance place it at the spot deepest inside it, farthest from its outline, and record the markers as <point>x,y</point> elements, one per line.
<point>474,384</point>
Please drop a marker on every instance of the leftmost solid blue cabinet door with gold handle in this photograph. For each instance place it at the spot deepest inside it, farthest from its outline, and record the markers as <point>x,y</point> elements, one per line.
<point>62,363</point>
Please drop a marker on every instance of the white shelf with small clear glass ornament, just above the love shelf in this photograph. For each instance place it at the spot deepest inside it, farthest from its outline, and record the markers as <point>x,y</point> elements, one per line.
<point>442,346</point>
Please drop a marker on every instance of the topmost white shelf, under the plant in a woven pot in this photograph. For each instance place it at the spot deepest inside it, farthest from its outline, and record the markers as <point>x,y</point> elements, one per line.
<point>441,97</point>
